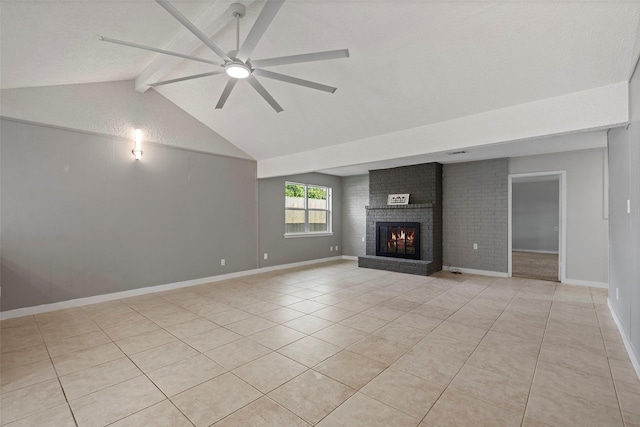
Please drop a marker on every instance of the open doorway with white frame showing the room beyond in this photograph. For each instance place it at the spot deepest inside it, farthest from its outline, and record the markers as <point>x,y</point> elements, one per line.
<point>537,226</point>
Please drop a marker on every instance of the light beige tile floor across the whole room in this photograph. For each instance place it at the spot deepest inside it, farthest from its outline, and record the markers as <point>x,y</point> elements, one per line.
<point>325,345</point>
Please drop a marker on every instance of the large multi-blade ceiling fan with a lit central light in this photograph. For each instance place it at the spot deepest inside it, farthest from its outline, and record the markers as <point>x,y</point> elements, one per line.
<point>237,64</point>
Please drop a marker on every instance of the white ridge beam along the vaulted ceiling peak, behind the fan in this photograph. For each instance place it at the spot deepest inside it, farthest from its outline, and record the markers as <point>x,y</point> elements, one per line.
<point>211,21</point>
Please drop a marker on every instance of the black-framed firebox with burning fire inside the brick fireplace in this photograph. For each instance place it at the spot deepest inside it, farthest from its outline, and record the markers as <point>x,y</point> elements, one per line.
<point>398,239</point>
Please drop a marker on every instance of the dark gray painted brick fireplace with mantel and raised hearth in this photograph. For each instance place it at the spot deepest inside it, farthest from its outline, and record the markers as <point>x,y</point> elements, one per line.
<point>424,184</point>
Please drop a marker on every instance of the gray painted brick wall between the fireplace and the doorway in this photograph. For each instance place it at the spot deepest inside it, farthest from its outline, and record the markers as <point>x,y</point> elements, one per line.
<point>475,210</point>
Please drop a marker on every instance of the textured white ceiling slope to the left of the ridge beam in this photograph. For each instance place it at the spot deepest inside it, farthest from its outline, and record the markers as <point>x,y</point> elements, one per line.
<point>53,42</point>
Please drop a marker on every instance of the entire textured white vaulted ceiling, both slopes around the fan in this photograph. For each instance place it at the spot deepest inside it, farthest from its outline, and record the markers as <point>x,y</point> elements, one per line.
<point>412,62</point>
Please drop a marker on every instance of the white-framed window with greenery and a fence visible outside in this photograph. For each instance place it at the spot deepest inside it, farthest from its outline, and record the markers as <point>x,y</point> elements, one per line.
<point>307,209</point>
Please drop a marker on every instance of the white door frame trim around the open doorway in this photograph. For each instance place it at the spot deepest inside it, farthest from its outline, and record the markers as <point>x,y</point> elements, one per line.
<point>562,234</point>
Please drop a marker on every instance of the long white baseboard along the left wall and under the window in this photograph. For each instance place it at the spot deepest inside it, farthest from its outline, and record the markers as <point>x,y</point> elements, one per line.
<point>28,311</point>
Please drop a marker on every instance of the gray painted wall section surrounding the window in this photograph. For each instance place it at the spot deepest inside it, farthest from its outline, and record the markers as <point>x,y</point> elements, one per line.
<point>271,222</point>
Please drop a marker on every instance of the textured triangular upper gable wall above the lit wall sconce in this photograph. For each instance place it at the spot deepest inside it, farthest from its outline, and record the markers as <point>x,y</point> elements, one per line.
<point>114,109</point>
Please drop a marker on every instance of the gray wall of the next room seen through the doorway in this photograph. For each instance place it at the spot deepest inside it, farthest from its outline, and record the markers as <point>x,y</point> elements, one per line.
<point>535,216</point>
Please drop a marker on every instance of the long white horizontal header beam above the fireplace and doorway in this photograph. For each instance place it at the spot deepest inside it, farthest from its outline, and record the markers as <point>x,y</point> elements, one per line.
<point>592,109</point>
